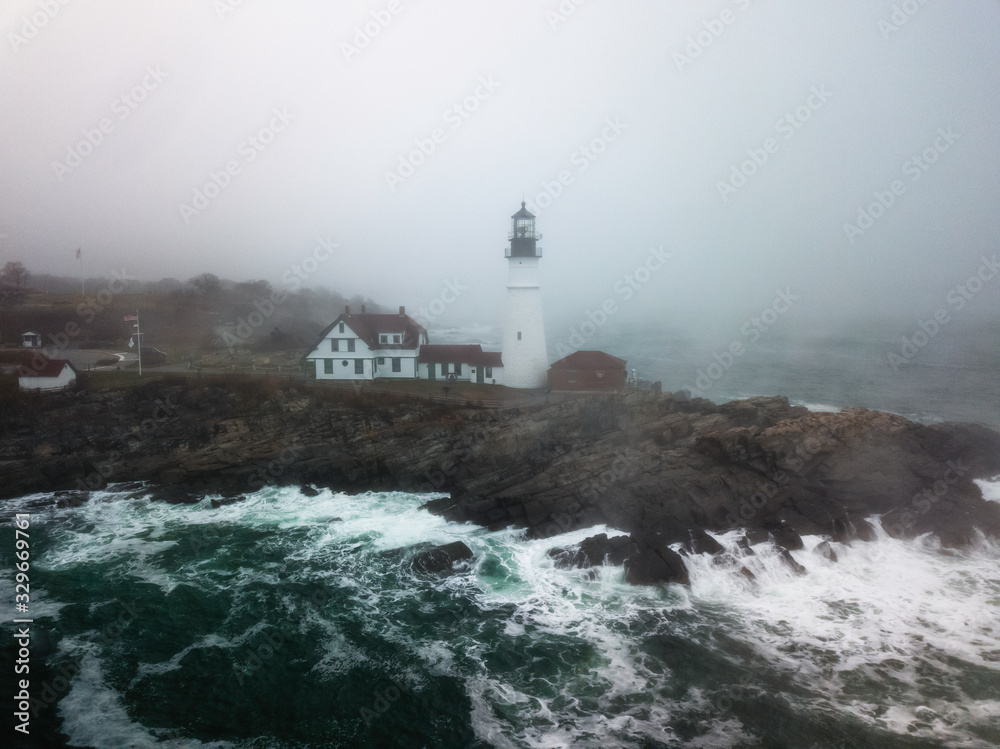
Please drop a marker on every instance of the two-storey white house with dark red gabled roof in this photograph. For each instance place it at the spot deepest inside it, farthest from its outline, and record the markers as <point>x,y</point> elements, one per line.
<point>366,346</point>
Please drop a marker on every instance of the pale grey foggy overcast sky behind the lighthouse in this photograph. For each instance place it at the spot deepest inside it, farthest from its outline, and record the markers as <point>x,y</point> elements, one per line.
<point>314,106</point>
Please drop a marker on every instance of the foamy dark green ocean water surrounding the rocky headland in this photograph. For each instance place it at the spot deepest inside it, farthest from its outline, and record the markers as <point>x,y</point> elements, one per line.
<point>289,621</point>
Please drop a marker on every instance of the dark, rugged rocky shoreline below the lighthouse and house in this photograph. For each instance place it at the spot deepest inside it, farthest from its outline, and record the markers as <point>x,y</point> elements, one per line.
<point>661,469</point>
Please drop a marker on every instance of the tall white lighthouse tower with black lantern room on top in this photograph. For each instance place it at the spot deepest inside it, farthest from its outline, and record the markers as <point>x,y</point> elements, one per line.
<point>525,358</point>
